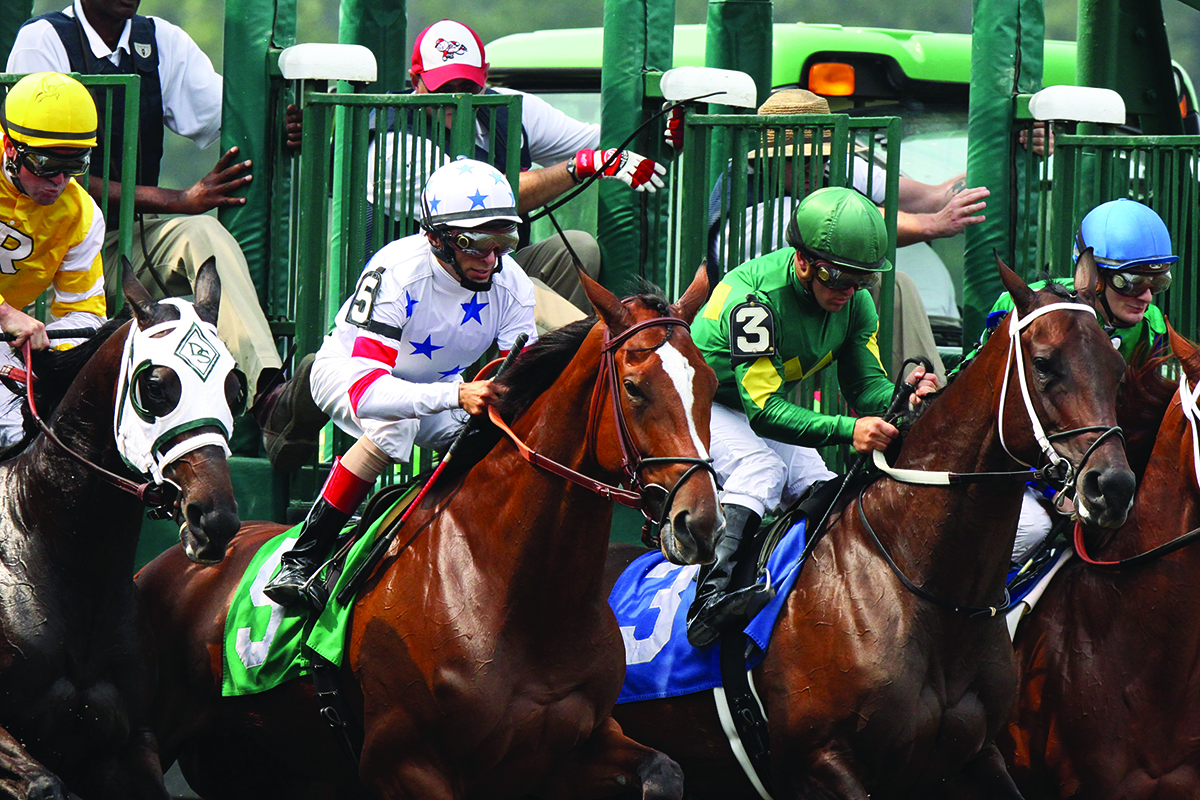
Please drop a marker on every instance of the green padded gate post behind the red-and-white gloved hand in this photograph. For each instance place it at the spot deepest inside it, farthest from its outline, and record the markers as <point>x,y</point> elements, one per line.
<point>639,37</point>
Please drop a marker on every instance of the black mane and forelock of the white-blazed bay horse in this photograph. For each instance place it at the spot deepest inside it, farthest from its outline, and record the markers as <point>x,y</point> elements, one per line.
<point>536,371</point>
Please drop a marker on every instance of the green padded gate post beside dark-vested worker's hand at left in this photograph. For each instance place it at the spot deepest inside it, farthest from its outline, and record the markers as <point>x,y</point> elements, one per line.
<point>253,28</point>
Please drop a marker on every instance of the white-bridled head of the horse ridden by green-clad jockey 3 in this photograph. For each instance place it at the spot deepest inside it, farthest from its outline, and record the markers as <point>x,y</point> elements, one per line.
<point>1067,375</point>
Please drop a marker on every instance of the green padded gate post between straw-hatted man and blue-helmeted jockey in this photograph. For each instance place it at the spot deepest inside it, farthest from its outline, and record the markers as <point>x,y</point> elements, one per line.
<point>1006,61</point>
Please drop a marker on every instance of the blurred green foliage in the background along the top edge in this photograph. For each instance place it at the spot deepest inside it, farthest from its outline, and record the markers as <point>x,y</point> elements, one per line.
<point>317,22</point>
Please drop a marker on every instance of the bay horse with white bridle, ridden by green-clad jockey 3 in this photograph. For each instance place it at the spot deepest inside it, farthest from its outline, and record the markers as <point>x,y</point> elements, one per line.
<point>871,690</point>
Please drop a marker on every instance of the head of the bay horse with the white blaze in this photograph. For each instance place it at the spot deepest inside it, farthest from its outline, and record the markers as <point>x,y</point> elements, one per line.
<point>657,431</point>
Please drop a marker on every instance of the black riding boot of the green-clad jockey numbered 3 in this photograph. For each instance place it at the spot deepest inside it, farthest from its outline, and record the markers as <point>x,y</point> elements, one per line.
<point>715,609</point>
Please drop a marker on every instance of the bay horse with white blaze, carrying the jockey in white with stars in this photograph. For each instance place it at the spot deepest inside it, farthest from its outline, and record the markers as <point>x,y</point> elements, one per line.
<point>483,660</point>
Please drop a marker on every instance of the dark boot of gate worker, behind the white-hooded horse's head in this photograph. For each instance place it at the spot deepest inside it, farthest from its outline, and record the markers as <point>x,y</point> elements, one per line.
<point>291,420</point>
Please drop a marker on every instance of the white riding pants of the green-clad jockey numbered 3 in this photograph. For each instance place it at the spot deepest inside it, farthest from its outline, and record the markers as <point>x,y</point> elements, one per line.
<point>760,474</point>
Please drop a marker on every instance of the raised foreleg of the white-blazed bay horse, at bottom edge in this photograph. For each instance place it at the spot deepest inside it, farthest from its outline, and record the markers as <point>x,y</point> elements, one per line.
<point>611,765</point>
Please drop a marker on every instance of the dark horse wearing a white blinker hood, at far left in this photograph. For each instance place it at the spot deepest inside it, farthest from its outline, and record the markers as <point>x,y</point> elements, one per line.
<point>76,666</point>
